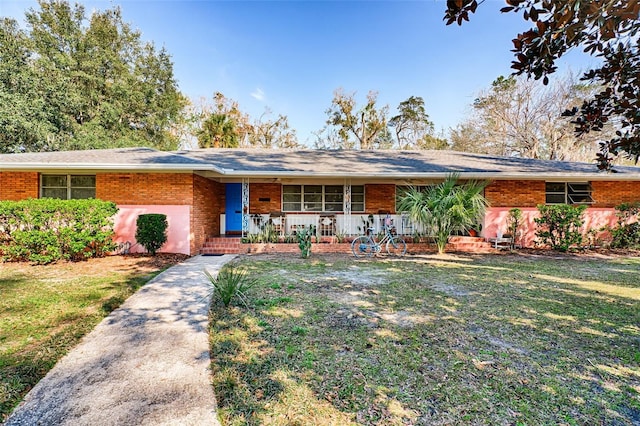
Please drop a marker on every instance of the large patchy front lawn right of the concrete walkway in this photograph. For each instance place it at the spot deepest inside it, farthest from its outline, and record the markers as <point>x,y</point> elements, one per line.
<point>527,340</point>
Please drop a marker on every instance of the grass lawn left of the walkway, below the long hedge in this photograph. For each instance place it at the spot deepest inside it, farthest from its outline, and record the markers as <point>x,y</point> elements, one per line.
<point>45,310</point>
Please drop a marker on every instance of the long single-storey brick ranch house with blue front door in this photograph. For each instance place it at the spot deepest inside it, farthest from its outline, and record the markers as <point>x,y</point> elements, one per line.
<point>231,192</point>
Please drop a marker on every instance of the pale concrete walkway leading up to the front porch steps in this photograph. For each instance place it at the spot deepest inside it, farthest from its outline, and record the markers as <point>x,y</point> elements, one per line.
<point>147,363</point>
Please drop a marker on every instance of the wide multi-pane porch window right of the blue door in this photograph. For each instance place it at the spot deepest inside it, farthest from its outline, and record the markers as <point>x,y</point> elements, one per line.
<point>320,198</point>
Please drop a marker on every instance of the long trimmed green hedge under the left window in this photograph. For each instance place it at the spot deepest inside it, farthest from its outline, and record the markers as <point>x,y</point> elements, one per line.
<point>46,230</point>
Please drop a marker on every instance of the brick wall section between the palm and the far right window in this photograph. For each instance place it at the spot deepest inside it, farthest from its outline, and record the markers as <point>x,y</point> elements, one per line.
<point>515,193</point>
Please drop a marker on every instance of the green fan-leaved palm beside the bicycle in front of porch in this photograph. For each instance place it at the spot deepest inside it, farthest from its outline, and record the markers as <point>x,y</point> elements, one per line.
<point>446,208</point>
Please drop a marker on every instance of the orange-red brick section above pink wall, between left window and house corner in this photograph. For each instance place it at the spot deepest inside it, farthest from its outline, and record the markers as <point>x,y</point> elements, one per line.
<point>145,188</point>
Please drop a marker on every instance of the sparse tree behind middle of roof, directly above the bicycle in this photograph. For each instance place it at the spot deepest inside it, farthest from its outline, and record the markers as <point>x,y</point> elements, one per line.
<point>358,128</point>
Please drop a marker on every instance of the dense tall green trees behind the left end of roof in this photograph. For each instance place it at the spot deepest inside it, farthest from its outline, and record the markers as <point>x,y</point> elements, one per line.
<point>78,82</point>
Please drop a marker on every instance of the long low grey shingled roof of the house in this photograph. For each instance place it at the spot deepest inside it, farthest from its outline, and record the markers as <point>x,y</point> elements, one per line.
<point>313,163</point>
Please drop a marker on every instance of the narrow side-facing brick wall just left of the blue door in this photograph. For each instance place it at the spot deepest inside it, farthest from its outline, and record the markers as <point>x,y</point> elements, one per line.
<point>208,203</point>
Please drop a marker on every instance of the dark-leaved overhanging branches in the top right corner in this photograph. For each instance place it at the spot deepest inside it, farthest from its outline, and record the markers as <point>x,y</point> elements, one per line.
<point>607,29</point>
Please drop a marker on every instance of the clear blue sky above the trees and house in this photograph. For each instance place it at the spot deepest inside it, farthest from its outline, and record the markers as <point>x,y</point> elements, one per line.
<point>291,55</point>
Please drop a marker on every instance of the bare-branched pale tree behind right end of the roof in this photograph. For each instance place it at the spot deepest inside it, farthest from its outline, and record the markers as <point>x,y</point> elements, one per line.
<point>521,117</point>
